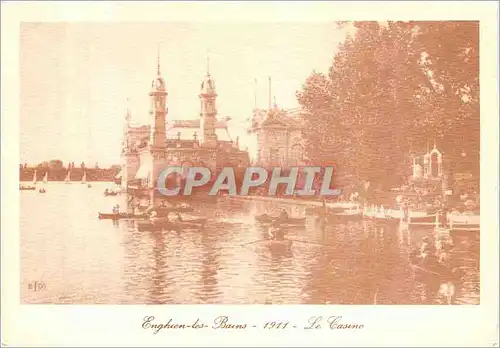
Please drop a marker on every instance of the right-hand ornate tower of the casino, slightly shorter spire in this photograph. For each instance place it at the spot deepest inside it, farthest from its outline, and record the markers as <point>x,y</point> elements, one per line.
<point>208,111</point>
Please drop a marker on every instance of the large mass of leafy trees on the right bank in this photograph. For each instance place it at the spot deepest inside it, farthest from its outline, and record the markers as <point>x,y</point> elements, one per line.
<point>394,89</point>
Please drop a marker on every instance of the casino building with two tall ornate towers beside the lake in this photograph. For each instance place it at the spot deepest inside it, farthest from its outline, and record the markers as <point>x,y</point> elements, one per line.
<point>149,149</point>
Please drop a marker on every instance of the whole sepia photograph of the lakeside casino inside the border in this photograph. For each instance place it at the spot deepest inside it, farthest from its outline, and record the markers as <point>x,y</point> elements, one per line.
<point>313,163</point>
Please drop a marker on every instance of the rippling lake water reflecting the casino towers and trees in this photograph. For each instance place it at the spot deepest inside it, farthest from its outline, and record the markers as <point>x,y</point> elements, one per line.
<point>75,258</point>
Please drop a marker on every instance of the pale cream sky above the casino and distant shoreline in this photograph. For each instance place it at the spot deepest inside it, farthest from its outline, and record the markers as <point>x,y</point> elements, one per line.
<point>76,78</point>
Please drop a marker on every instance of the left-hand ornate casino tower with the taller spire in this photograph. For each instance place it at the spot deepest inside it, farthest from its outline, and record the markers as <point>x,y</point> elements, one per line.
<point>158,110</point>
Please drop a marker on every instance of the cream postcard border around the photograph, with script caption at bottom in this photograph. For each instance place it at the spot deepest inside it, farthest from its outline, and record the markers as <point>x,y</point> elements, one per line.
<point>59,325</point>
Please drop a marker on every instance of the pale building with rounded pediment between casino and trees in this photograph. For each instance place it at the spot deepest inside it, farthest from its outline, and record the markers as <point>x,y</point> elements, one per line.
<point>279,137</point>
